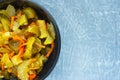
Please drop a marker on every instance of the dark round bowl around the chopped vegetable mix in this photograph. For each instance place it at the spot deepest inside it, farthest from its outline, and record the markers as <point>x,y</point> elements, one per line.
<point>43,14</point>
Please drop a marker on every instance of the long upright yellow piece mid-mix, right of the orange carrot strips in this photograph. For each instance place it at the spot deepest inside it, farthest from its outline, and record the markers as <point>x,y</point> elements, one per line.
<point>28,51</point>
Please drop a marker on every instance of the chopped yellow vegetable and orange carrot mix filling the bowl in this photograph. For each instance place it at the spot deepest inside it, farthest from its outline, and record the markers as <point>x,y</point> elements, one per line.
<point>26,42</point>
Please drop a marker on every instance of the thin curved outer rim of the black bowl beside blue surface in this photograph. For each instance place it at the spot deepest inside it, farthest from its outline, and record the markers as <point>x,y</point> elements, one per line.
<point>55,27</point>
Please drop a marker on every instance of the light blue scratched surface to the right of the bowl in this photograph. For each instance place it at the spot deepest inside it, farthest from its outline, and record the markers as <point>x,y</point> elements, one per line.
<point>90,35</point>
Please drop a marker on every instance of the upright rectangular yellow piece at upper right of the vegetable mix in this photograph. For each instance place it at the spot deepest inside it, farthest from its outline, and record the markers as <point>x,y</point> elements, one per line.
<point>42,27</point>
